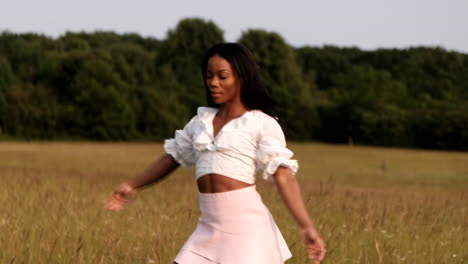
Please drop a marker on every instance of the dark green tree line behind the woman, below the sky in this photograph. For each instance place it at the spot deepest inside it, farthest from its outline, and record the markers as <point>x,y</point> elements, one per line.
<point>115,87</point>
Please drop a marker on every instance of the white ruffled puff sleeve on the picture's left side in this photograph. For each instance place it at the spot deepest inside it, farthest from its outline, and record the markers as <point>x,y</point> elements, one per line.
<point>181,146</point>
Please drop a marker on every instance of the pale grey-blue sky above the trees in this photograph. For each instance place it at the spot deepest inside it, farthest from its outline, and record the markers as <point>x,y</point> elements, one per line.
<point>366,24</point>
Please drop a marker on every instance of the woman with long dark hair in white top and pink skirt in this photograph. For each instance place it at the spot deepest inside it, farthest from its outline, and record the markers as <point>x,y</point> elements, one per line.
<point>228,142</point>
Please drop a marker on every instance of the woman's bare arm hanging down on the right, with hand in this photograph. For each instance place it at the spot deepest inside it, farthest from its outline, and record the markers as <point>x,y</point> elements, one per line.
<point>290,192</point>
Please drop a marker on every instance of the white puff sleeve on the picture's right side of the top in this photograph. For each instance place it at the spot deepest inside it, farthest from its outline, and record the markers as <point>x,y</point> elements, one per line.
<point>272,151</point>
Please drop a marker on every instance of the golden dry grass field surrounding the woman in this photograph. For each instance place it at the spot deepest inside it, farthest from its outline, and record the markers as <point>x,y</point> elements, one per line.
<point>372,205</point>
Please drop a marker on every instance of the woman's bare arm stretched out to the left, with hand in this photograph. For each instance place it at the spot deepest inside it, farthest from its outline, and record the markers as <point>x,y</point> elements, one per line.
<point>157,171</point>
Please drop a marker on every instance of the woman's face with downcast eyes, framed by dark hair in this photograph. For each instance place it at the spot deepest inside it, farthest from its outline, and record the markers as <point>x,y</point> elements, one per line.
<point>222,81</point>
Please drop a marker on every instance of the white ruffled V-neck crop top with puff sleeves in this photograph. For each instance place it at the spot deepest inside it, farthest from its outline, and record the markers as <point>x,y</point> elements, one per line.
<point>244,145</point>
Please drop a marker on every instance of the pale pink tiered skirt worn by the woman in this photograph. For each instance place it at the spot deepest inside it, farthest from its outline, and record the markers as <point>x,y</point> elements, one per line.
<point>234,227</point>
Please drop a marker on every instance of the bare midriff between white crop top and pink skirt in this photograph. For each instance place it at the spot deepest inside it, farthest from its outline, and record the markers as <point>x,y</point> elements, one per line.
<point>215,183</point>
